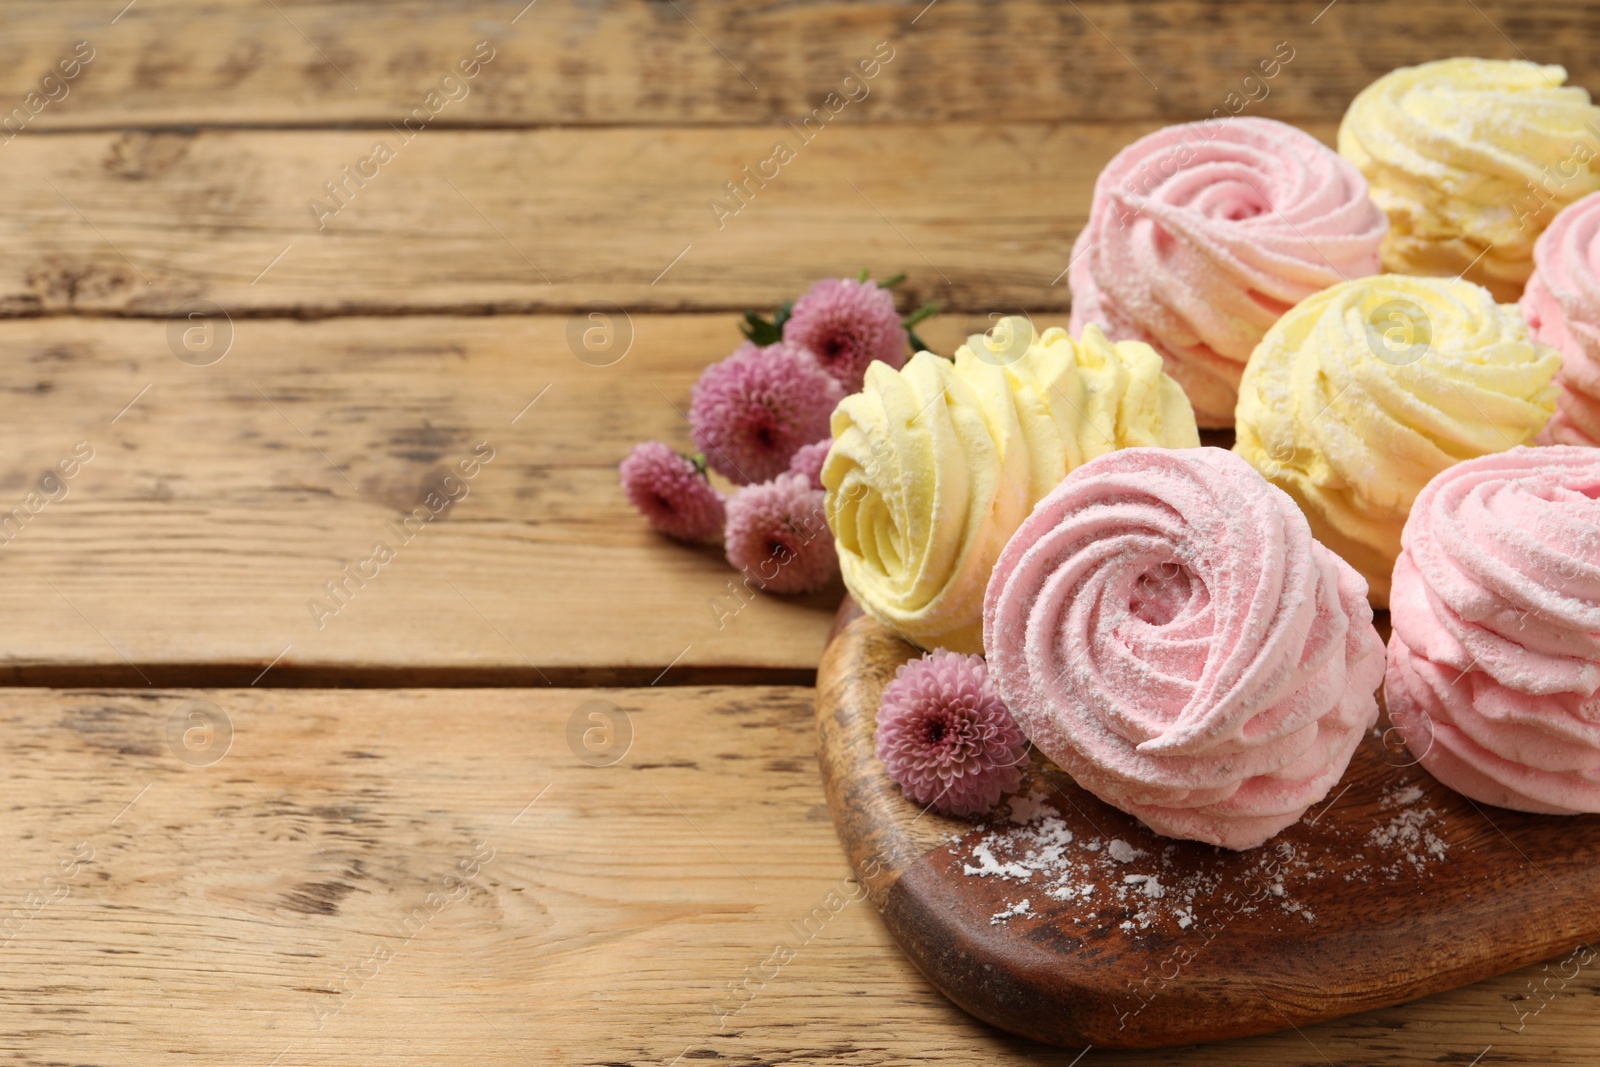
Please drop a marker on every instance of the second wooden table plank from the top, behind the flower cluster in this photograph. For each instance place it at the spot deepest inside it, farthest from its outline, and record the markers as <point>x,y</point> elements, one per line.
<point>982,217</point>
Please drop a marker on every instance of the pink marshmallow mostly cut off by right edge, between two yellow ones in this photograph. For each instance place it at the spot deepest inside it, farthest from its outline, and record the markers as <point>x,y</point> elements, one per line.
<point>1562,306</point>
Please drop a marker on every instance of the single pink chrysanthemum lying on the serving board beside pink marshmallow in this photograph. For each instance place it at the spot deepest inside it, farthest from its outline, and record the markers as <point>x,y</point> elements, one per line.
<point>946,737</point>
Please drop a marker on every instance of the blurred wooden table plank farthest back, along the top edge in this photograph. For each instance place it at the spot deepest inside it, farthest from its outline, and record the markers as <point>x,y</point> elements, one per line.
<point>721,62</point>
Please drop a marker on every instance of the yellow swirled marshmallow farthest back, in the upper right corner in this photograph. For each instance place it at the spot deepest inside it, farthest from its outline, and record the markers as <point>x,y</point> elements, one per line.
<point>1471,159</point>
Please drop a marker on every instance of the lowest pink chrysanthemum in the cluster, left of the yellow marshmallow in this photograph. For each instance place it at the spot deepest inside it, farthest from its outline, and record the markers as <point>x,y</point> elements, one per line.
<point>778,535</point>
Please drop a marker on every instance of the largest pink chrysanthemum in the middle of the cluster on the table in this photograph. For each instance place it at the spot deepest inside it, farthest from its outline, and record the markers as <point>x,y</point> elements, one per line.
<point>754,410</point>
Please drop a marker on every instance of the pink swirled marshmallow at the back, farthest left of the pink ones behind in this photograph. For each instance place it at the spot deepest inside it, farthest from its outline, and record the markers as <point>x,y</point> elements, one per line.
<point>1204,234</point>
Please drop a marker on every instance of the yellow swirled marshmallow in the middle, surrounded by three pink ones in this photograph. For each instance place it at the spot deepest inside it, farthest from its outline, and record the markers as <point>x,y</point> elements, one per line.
<point>1366,391</point>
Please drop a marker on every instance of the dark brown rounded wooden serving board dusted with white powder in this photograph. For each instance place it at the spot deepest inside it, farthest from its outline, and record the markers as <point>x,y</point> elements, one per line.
<point>1390,890</point>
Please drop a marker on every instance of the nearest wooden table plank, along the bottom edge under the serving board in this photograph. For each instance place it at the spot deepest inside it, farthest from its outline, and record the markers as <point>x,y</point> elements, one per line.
<point>434,877</point>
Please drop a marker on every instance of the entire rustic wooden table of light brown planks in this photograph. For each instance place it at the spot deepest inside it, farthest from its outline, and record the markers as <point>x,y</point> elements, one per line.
<point>244,831</point>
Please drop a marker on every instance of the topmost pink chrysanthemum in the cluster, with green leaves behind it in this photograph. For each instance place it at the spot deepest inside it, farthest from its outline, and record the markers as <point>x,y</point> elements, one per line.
<point>846,326</point>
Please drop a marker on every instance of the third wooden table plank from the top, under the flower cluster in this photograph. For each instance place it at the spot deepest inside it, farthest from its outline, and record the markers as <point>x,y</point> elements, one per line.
<point>222,500</point>
